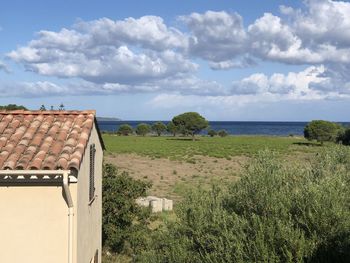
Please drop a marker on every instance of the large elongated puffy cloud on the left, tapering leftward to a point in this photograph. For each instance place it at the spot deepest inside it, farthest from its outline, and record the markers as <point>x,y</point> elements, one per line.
<point>105,51</point>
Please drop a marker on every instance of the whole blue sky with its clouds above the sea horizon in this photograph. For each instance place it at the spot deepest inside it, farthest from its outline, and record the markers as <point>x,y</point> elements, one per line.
<point>253,60</point>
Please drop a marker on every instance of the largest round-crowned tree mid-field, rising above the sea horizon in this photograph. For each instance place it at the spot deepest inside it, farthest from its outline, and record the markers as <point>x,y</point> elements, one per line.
<point>190,122</point>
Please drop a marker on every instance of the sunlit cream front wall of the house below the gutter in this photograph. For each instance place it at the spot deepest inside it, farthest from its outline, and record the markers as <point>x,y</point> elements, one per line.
<point>34,224</point>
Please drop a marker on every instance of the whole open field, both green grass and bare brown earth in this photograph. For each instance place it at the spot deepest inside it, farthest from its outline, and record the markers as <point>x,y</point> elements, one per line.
<point>175,165</point>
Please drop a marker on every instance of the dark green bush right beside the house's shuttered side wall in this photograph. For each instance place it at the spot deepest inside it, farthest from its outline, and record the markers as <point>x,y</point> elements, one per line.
<point>124,227</point>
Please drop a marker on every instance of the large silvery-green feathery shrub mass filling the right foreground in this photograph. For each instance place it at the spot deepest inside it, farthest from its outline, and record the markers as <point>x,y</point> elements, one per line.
<point>275,213</point>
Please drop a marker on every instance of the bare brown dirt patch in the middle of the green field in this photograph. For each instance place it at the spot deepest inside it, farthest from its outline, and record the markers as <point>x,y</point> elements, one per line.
<point>170,178</point>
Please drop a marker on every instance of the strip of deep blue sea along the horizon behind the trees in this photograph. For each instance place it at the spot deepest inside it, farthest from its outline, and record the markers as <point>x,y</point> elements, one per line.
<point>232,127</point>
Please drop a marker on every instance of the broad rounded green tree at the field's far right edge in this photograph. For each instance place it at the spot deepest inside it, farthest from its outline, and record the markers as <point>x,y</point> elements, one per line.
<point>322,131</point>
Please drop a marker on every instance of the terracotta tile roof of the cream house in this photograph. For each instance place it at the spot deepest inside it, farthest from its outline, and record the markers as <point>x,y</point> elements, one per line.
<point>44,140</point>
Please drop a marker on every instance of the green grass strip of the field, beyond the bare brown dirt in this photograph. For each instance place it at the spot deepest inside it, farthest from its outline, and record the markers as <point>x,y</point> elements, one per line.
<point>186,149</point>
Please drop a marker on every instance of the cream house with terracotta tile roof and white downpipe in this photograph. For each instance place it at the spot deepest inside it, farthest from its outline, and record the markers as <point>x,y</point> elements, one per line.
<point>50,187</point>
